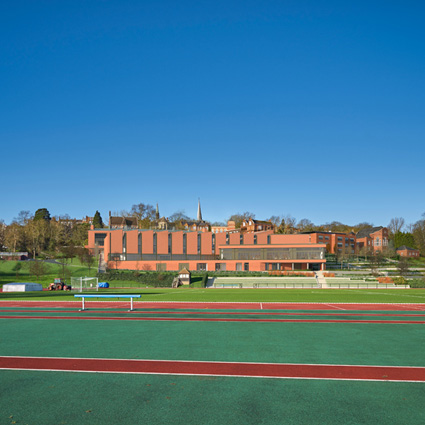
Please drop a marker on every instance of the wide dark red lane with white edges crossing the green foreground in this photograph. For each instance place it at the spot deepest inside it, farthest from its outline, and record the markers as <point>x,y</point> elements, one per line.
<point>254,370</point>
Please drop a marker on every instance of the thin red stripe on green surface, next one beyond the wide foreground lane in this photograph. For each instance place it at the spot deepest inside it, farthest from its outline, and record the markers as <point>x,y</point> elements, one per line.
<point>216,319</point>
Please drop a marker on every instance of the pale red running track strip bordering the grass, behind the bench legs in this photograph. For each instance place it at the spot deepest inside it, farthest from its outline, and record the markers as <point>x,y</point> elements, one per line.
<point>219,305</point>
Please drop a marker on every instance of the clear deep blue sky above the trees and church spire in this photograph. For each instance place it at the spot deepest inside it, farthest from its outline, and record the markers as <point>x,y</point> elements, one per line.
<point>314,109</point>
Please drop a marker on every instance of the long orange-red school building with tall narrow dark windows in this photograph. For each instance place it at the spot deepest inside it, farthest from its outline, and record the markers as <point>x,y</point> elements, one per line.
<point>137,249</point>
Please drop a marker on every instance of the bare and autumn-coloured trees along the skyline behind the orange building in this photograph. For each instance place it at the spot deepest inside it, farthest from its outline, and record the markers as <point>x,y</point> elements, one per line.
<point>41,233</point>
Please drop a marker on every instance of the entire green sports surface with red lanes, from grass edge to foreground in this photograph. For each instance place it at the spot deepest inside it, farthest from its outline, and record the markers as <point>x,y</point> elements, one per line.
<point>215,363</point>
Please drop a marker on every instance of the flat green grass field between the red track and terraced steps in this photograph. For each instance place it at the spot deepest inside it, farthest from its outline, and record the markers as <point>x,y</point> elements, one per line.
<point>248,295</point>
